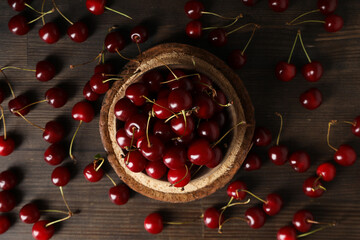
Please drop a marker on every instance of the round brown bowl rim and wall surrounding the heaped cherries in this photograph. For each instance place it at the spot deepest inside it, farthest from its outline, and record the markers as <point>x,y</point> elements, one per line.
<point>185,57</point>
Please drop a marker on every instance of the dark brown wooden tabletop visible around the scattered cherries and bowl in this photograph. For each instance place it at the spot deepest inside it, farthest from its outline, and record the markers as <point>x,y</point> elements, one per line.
<point>303,129</point>
